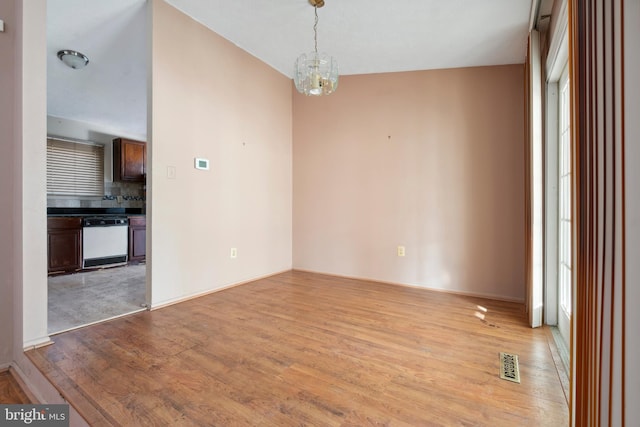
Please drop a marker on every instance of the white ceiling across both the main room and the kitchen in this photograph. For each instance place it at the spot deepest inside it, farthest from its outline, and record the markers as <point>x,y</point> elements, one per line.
<point>364,36</point>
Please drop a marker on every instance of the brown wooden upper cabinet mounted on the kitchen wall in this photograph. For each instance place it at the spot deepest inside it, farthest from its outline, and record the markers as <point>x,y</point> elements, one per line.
<point>129,160</point>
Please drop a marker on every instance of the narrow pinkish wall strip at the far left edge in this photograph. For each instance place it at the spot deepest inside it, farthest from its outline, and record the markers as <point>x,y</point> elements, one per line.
<point>8,87</point>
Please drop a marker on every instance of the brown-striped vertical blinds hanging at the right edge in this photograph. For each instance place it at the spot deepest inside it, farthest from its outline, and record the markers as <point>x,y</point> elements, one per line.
<point>597,50</point>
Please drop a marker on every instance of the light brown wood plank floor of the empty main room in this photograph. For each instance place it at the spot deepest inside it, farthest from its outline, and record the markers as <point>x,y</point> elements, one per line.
<point>308,349</point>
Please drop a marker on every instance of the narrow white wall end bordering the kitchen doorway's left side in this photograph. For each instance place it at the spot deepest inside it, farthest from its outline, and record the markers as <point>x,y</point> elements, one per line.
<point>31,223</point>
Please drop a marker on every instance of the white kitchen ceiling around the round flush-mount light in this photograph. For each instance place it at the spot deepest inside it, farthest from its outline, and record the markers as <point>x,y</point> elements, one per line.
<point>112,90</point>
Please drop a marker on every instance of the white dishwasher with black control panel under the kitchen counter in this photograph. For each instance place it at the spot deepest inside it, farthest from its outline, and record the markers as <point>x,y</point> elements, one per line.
<point>105,241</point>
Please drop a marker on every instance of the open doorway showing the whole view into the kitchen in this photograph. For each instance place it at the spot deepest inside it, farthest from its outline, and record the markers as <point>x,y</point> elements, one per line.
<point>96,160</point>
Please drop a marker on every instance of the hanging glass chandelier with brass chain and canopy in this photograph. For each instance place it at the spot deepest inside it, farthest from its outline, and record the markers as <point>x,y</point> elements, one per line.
<point>316,74</point>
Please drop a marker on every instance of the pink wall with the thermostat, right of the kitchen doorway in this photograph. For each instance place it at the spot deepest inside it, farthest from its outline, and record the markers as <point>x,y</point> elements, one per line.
<point>211,99</point>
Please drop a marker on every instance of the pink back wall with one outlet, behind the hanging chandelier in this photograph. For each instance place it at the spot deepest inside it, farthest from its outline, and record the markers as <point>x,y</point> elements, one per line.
<point>430,160</point>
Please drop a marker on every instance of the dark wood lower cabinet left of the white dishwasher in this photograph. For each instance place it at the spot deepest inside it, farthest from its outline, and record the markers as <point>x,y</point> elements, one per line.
<point>64,244</point>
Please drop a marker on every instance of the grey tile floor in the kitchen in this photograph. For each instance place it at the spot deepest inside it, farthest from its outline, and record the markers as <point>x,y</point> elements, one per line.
<point>88,297</point>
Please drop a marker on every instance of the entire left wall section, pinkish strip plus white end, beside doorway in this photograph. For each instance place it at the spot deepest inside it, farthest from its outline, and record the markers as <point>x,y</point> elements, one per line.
<point>23,267</point>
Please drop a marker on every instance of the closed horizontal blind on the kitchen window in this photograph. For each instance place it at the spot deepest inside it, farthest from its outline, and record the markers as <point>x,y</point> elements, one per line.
<point>74,168</point>
